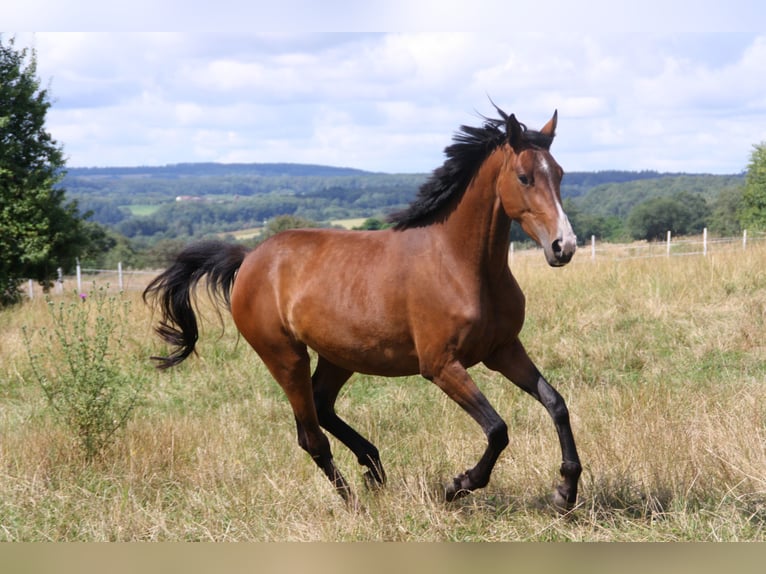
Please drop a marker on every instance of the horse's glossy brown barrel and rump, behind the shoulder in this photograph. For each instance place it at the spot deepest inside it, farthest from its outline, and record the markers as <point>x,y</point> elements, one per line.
<point>341,294</point>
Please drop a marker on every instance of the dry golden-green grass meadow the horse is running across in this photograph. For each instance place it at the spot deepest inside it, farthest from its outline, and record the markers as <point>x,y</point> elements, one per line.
<point>662,363</point>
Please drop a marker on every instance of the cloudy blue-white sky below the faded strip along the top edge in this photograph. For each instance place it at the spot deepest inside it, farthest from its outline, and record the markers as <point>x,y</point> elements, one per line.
<point>390,102</point>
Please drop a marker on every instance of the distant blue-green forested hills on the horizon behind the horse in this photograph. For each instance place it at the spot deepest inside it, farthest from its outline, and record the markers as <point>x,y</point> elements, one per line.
<point>182,201</point>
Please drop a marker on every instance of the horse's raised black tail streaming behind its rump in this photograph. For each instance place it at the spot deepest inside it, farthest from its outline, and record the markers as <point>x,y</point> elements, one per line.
<point>173,290</point>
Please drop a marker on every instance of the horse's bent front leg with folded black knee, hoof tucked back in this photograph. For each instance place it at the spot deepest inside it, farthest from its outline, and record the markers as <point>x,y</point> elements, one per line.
<point>455,381</point>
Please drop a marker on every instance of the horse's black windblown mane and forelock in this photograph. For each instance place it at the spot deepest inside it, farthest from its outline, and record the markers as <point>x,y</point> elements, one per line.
<point>469,149</point>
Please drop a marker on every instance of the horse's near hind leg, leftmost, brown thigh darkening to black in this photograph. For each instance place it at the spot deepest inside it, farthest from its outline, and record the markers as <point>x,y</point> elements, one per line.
<point>291,368</point>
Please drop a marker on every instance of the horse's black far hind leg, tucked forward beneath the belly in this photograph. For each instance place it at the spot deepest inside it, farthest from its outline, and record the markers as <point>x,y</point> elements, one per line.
<point>328,379</point>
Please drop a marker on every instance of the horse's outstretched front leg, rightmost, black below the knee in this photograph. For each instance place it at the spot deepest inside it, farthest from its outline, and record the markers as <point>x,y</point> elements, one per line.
<point>513,362</point>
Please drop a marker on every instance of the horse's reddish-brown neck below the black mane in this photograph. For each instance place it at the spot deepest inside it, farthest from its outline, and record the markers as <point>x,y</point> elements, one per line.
<point>478,229</point>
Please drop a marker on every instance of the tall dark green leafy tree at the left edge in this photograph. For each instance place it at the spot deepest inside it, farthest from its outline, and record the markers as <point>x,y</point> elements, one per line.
<point>39,230</point>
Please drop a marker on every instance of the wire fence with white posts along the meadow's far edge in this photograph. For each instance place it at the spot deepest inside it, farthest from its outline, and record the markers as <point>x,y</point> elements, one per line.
<point>136,280</point>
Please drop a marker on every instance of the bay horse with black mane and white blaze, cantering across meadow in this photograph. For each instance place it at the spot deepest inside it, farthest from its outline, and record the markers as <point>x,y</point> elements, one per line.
<point>431,295</point>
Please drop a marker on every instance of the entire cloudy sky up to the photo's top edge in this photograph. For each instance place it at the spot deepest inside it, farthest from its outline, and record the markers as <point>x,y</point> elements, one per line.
<point>662,88</point>
